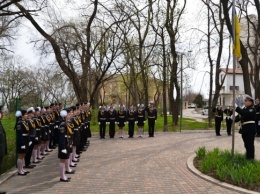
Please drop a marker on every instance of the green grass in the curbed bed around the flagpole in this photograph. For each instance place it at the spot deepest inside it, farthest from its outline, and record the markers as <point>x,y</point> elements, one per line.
<point>235,170</point>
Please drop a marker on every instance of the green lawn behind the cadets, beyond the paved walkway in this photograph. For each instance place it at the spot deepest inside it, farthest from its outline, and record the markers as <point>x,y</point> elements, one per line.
<point>9,122</point>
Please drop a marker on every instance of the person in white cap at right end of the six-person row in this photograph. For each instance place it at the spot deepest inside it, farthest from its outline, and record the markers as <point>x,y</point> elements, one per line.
<point>152,117</point>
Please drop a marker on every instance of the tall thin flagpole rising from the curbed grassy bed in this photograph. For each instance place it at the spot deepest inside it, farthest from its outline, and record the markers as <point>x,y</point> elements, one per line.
<point>234,83</point>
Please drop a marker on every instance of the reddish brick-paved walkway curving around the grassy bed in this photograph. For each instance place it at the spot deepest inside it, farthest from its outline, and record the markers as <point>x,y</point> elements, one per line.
<point>148,165</point>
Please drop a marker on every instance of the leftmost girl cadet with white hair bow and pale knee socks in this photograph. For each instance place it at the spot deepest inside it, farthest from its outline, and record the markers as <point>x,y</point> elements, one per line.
<point>22,133</point>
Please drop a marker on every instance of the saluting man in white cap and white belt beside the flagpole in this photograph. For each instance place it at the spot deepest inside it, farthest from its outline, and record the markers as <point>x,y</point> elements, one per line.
<point>248,129</point>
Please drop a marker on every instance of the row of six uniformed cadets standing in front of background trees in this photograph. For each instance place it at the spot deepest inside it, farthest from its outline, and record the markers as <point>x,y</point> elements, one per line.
<point>109,116</point>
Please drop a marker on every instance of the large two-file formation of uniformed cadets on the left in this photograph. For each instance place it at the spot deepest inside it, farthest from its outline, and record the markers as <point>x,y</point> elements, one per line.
<point>41,129</point>
